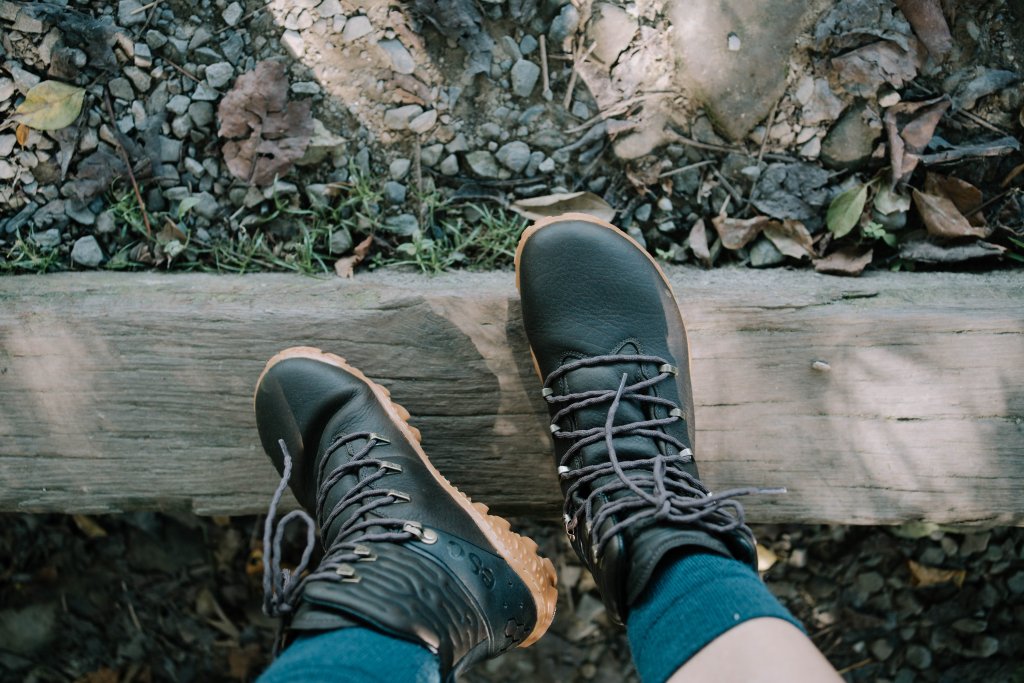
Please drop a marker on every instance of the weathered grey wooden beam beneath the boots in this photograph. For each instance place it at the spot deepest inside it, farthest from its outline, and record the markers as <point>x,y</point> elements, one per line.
<point>135,392</point>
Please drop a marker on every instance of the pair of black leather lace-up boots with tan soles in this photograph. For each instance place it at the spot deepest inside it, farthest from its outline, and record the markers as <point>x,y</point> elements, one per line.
<point>409,556</point>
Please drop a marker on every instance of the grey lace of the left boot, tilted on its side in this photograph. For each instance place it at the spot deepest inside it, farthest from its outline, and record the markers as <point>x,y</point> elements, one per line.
<point>282,587</point>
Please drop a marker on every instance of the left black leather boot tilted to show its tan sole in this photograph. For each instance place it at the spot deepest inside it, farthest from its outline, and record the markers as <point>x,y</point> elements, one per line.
<point>406,553</point>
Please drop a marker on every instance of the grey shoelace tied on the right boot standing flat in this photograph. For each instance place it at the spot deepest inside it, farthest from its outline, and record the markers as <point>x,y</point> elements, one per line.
<point>663,491</point>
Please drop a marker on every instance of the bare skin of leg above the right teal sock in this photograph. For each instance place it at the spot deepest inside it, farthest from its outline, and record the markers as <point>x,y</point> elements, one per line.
<point>761,651</point>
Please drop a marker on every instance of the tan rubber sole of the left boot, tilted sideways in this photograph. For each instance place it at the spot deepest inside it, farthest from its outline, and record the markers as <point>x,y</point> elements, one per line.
<point>520,551</point>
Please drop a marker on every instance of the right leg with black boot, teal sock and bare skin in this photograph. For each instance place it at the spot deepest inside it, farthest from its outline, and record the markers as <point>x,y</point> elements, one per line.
<point>673,562</point>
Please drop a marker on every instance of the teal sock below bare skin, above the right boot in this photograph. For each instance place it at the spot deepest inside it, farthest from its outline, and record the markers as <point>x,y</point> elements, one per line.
<point>689,604</point>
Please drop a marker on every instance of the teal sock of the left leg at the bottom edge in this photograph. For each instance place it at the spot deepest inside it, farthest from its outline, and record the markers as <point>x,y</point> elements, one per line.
<point>354,656</point>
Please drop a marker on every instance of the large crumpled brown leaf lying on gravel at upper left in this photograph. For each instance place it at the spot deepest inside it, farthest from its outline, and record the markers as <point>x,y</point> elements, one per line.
<point>268,134</point>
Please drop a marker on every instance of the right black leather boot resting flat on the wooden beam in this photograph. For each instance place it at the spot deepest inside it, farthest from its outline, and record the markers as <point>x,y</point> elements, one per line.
<point>609,343</point>
